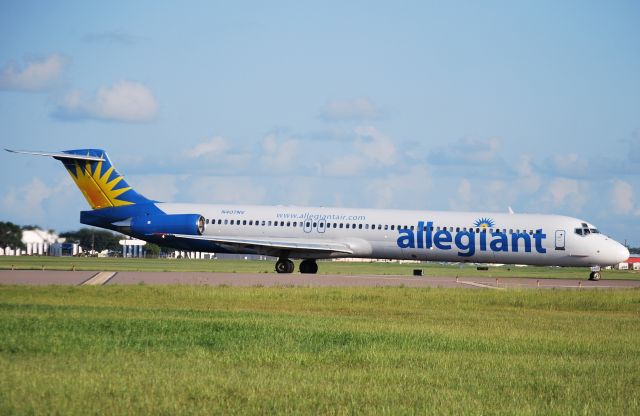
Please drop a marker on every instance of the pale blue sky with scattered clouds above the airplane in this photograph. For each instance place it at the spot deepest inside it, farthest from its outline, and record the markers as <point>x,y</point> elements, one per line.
<point>418,105</point>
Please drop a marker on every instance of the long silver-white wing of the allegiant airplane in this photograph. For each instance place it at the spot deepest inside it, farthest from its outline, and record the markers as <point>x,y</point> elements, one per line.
<point>270,246</point>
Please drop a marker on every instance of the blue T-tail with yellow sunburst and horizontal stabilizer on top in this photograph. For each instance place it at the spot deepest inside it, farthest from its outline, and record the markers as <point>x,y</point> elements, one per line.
<point>95,176</point>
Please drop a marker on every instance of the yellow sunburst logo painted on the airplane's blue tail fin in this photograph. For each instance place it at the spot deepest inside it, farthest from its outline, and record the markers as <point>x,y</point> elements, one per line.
<point>96,186</point>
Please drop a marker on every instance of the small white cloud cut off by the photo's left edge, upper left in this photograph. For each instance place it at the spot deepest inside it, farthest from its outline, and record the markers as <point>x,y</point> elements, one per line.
<point>35,75</point>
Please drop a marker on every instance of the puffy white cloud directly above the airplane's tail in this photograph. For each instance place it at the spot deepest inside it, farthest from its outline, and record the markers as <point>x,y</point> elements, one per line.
<point>125,101</point>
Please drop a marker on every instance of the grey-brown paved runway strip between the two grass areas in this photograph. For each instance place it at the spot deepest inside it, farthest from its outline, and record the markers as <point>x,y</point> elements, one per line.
<point>76,278</point>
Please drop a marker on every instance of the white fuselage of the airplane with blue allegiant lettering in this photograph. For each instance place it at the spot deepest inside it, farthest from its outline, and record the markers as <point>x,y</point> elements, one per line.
<point>477,237</point>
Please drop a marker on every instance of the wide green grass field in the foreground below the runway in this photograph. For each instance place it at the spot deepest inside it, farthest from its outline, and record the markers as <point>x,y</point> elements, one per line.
<point>224,350</point>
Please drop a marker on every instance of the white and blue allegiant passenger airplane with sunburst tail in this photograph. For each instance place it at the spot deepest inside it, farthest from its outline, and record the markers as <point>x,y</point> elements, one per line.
<point>314,233</point>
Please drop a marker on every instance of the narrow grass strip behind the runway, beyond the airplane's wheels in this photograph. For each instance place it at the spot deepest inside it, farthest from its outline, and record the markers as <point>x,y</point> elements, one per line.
<point>325,267</point>
